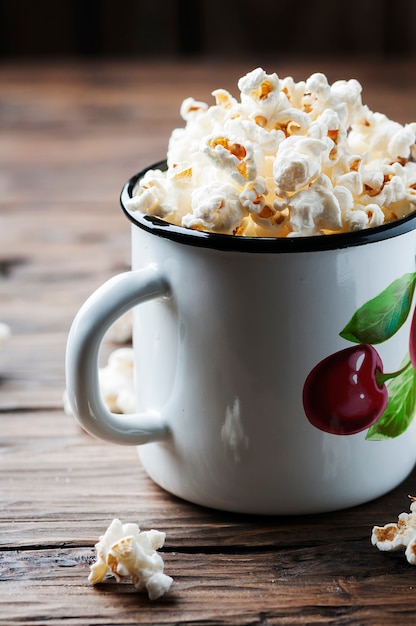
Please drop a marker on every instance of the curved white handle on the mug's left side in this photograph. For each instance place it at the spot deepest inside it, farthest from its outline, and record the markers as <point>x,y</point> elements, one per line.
<point>101,309</point>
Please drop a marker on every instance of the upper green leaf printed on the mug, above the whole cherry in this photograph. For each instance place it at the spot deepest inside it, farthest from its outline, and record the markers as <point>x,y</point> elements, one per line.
<point>380,318</point>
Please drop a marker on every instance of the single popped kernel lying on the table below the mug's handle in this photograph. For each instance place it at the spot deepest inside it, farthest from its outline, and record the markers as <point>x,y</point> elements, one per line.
<point>128,552</point>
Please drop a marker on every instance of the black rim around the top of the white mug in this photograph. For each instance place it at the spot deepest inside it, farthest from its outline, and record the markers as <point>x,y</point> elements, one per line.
<point>188,236</point>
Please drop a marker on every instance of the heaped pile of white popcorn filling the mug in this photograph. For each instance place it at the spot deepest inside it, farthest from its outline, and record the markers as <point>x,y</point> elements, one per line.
<point>286,159</point>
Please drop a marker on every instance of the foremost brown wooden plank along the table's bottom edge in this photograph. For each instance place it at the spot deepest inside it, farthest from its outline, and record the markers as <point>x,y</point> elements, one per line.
<point>304,586</point>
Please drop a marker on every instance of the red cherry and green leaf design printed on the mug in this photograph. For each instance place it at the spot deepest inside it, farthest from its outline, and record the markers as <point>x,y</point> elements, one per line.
<point>348,392</point>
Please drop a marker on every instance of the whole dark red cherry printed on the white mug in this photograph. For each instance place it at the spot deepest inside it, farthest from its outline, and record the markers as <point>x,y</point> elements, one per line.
<point>342,395</point>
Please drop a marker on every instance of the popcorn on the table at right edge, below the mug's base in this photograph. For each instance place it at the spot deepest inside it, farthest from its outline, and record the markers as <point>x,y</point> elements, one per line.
<point>399,536</point>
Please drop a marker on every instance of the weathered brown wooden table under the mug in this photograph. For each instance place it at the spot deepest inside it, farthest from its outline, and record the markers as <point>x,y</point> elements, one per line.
<point>70,136</point>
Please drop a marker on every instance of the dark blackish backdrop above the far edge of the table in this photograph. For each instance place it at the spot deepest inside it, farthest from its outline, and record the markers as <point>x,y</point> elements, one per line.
<point>207,28</point>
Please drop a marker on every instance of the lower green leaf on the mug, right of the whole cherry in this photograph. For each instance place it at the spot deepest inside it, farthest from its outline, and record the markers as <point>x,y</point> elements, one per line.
<point>400,409</point>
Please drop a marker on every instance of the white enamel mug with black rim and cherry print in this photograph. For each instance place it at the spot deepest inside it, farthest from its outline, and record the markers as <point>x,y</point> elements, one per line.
<point>227,331</point>
